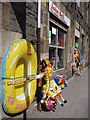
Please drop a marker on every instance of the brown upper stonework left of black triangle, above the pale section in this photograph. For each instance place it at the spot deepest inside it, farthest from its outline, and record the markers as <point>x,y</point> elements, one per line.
<point>9,20</point>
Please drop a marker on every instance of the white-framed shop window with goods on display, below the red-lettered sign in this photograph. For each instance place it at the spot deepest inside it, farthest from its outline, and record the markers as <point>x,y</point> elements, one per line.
<point>56,47</point>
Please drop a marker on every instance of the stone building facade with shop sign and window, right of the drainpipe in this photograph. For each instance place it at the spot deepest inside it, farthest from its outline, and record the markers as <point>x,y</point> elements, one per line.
<point>66,23</point>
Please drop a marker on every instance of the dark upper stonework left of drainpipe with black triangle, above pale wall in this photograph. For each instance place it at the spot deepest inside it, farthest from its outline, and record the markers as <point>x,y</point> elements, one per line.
<point>22,21</point>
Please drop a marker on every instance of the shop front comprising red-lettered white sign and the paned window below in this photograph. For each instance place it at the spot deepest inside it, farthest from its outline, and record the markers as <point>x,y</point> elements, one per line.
<point>58,28</point>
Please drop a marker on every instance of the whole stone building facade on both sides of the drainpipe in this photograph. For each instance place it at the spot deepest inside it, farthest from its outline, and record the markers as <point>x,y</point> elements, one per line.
<point>62,25</point>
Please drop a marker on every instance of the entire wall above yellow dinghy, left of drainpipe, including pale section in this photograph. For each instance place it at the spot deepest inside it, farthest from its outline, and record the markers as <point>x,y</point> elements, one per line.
<point>19,20</point>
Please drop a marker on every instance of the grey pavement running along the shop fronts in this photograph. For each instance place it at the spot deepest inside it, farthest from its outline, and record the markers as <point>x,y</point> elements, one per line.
<point>76,95</point>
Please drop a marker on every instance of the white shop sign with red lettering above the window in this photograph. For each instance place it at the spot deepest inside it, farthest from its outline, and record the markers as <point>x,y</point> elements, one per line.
<point>58,13</point>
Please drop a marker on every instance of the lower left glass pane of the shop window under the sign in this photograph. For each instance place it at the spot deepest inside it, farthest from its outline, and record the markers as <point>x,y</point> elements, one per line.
<point>52,57</point>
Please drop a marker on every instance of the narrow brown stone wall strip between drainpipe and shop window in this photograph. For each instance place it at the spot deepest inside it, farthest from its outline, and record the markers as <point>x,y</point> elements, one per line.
<point>44,31</point>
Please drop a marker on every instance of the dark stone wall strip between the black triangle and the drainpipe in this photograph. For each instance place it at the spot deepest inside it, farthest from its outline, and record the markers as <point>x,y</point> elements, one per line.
<point>31,21</point>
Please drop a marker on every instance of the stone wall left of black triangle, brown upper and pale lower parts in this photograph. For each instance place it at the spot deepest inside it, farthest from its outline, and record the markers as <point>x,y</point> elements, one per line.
<point>10,28</point>
